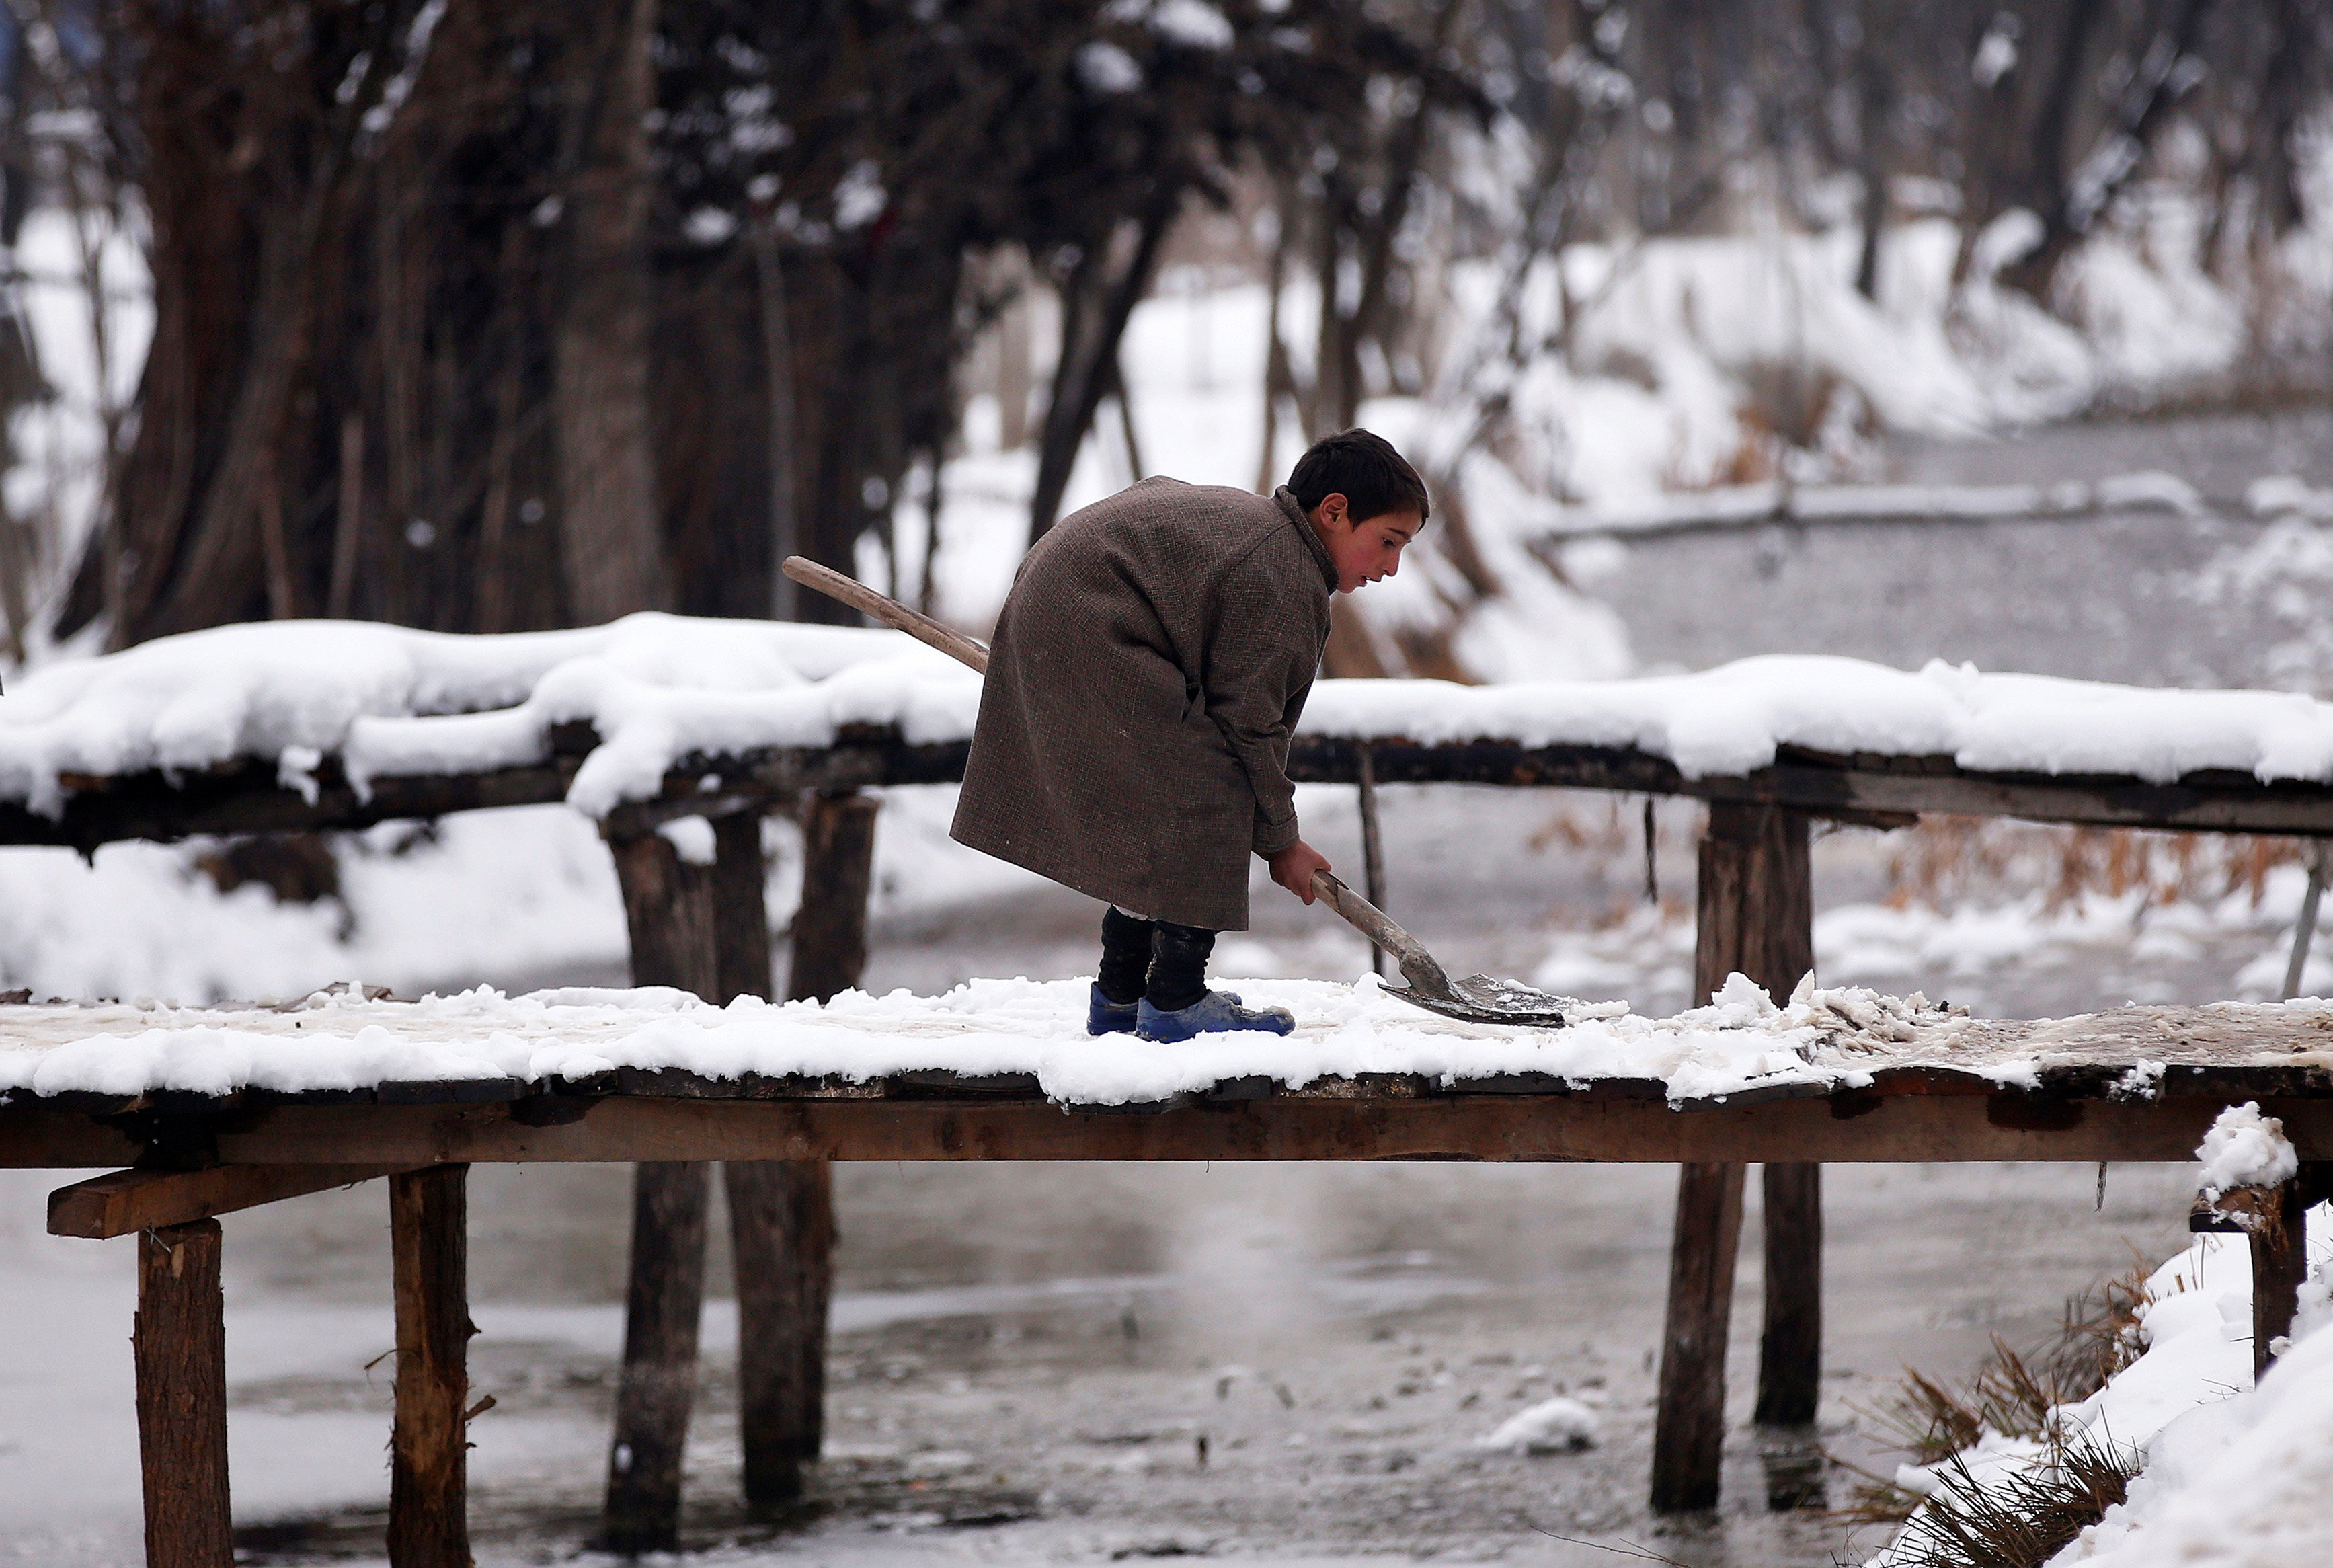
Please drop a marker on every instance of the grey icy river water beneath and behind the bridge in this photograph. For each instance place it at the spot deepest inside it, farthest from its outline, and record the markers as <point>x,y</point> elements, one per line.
<point>1280,1364</point>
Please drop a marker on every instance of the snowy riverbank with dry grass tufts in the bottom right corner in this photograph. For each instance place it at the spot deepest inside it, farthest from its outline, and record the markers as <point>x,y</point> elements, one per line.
<point>2234,1476</point>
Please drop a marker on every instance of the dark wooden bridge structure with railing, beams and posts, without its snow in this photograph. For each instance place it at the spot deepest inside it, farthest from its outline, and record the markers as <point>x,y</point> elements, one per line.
<point>706,930</point>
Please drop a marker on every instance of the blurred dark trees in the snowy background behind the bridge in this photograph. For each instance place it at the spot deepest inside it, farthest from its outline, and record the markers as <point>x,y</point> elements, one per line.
<point>514,316</point>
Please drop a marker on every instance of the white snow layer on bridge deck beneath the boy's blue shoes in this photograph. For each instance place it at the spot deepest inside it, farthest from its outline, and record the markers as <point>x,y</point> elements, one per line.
<point>983,1028</point>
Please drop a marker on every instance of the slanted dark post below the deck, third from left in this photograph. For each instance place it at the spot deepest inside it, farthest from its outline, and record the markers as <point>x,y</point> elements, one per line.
<point>659,1359</point>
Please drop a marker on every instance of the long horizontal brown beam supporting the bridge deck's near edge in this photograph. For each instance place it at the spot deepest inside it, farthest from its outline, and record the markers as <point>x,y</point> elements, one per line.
<point>1844,1128</point>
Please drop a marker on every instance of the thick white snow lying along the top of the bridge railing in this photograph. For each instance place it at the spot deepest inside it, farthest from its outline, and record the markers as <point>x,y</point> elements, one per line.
<point>659,689</point>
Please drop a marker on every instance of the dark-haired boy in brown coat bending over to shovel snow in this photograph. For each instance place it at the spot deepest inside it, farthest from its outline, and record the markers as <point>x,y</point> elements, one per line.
<point>1147,671</point>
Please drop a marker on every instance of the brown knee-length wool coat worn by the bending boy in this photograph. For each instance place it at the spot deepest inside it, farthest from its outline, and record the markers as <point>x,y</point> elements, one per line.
<point>1147,671</point>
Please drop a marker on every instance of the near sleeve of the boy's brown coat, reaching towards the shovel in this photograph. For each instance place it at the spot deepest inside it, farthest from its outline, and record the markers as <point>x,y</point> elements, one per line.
<point>1259,673</point>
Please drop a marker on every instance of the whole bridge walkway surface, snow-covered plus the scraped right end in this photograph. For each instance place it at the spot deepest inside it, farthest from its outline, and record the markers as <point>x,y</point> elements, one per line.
<point>1025,1039</point>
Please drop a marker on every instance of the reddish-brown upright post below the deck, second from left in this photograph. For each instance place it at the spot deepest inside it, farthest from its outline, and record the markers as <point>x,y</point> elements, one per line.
<point>430,1443</point>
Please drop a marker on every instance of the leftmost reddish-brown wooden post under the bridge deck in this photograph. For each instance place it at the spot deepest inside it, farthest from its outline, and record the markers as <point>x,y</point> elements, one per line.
<point>181,1350</point>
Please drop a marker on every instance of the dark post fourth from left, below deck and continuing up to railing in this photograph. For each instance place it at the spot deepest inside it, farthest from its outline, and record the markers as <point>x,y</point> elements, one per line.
<point>783,1212</point>
